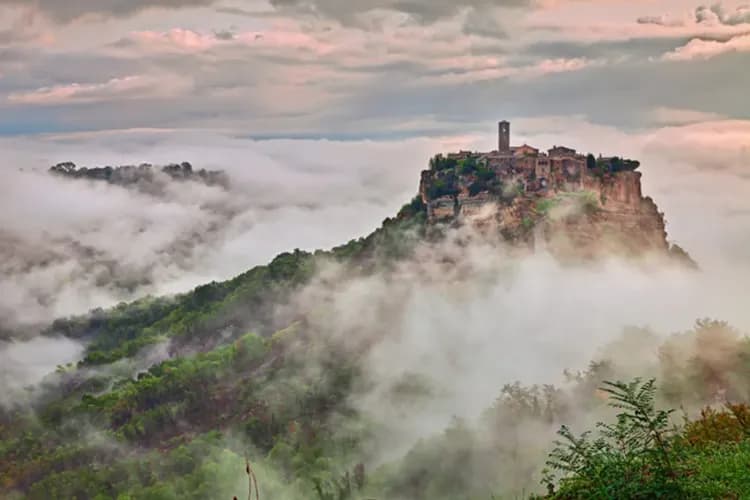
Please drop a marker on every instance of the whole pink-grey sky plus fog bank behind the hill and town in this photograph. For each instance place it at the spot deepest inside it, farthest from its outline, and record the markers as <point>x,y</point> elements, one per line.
<point>324,111</point>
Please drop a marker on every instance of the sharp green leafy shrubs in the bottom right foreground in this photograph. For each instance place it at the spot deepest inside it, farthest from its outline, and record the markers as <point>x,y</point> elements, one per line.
<point>640,455</point>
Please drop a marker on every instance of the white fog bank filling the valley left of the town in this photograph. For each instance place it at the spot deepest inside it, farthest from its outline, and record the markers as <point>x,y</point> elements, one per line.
<point>68,245</point>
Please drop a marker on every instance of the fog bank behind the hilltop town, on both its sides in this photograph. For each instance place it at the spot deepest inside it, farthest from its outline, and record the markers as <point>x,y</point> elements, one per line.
<point>68,246</point>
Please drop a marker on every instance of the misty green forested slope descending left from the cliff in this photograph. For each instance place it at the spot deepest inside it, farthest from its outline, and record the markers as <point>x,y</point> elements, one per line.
<point>172,392</point>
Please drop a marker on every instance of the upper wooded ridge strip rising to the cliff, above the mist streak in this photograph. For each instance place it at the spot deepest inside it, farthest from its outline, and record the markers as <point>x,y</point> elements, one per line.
<point>234,306</point>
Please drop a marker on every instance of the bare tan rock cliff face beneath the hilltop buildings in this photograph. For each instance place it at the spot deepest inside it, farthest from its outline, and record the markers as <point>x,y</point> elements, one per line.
<point>589,216</point>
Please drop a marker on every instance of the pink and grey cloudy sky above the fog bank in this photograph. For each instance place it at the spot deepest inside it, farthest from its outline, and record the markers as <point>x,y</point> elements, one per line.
<point>366,68</point>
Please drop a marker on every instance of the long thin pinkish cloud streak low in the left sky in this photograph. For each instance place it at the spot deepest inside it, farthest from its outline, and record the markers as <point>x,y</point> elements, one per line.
<point>129,87</point>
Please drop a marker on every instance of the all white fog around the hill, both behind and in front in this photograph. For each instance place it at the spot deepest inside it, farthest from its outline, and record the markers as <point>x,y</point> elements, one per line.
<point>465,318</point>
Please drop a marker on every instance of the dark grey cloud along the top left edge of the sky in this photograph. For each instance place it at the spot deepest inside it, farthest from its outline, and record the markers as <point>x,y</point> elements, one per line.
<point>71,10</point>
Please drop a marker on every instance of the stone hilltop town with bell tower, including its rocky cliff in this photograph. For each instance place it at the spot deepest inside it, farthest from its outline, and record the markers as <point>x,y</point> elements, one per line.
<point>572,203</point>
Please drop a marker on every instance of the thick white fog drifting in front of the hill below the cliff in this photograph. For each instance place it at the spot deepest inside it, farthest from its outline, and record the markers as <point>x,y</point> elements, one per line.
<point>469,318</point>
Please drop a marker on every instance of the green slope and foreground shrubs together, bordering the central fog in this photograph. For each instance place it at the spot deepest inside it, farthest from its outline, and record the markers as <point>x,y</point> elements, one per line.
<point>174,393</point>
